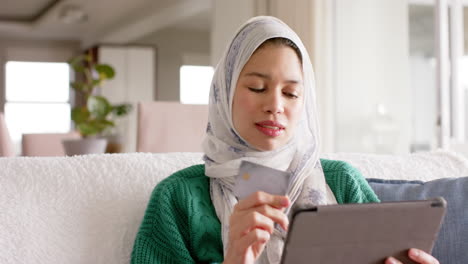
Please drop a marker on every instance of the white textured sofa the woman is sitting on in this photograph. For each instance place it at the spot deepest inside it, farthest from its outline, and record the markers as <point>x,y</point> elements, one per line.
<point>87,209</point>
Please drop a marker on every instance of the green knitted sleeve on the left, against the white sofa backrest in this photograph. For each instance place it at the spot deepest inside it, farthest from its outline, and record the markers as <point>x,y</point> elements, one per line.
<point>163,237</point>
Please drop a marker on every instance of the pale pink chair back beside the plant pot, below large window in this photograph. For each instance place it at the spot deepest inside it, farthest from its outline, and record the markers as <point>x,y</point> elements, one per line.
<point>45,145</point>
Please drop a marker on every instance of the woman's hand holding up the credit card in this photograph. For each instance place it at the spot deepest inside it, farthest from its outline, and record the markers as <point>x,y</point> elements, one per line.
<point>251,225</point>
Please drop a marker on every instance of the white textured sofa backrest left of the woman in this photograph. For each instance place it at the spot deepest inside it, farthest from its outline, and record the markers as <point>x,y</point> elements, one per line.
<point>84,209</point>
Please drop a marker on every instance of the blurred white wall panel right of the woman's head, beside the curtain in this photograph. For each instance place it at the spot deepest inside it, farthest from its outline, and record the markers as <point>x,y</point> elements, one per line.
<point>372,68</point>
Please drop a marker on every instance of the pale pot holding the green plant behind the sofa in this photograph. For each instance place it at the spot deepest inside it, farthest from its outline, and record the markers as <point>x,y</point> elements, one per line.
<point>84,146</point>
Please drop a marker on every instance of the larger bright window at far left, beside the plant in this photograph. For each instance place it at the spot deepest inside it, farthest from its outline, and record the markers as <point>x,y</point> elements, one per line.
<point>37,98</point>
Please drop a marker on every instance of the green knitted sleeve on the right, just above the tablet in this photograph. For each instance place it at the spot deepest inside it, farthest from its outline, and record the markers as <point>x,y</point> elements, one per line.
<point>347,183</point>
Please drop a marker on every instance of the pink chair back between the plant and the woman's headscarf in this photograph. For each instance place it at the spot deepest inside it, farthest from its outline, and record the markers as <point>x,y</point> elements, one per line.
<point>171,127</point>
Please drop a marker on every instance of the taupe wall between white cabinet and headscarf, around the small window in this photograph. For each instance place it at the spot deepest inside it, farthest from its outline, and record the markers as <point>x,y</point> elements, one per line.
<point>173,45</point>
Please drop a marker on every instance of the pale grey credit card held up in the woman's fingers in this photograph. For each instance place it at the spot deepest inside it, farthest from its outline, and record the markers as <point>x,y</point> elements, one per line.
<point>255,177</point>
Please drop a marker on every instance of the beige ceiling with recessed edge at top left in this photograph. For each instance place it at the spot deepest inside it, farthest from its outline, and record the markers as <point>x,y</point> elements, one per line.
<point>99,21</point>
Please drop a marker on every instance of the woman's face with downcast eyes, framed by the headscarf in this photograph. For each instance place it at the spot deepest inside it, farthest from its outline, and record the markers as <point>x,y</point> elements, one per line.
<point>268,99</point>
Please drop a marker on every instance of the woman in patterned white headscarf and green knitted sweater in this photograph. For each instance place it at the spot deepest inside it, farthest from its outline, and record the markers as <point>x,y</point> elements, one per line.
<point>262,109</point>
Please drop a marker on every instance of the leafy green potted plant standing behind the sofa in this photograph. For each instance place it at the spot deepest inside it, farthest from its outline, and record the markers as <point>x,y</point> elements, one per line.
<point>95,114</point>
